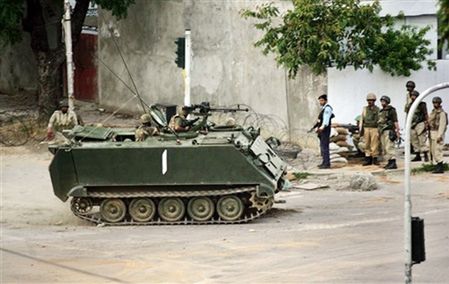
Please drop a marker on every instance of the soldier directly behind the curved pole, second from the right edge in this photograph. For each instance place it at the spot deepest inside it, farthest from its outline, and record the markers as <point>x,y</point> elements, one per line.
<point>419,129</point>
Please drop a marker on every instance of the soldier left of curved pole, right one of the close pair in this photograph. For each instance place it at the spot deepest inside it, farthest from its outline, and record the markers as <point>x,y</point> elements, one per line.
<point>389,131</point>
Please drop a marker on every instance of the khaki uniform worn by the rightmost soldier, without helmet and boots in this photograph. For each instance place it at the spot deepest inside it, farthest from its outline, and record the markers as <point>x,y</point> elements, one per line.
<point>438,126</point>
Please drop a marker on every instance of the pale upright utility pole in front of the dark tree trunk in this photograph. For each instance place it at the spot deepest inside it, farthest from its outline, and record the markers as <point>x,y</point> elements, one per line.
<point>67,27</point>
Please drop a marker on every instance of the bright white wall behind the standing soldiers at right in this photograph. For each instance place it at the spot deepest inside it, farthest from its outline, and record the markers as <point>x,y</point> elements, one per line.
<point>348,89</point>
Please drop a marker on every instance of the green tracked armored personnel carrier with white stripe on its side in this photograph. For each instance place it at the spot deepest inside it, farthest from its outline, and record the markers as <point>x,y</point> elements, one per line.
<point>214,175</point>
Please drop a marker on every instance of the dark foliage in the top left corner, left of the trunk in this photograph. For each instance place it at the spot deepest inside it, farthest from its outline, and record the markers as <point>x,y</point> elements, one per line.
<point>11,13</point>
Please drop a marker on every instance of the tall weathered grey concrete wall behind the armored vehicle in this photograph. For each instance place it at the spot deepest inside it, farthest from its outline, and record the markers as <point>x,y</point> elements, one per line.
<point>227,69</point>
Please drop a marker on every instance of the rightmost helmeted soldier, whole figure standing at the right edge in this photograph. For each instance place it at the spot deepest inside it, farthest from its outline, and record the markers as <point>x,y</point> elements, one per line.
<point>438,125</point>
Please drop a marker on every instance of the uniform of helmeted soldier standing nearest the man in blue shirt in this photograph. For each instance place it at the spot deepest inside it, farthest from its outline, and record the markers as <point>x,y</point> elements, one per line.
<point>370,117</point>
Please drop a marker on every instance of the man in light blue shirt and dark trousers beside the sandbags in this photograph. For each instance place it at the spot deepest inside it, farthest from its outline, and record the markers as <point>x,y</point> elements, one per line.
<point>323,129</point>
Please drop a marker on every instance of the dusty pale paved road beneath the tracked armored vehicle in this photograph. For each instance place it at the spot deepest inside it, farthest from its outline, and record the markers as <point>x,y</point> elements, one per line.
<point>317,236</point>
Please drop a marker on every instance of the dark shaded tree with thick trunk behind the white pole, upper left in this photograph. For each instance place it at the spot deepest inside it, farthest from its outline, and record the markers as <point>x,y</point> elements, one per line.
<point>42,18</point>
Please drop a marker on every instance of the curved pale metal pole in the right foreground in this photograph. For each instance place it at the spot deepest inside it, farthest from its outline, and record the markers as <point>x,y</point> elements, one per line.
<point>407,184</point>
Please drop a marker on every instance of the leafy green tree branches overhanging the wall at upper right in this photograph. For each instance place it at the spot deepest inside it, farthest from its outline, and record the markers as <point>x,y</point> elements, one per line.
<point>339,33</point>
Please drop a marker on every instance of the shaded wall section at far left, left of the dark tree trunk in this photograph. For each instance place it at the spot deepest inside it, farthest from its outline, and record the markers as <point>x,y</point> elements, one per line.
<point>18,70</point>
